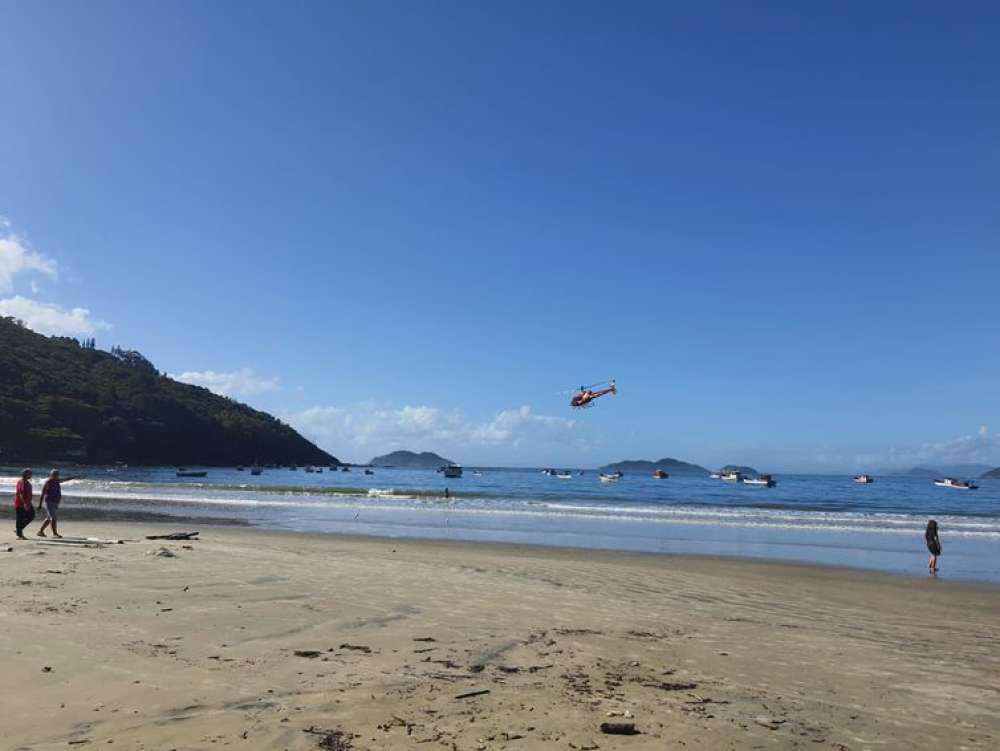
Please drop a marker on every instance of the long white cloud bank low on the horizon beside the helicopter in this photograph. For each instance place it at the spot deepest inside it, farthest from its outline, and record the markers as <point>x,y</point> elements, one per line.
<point>370,428</point>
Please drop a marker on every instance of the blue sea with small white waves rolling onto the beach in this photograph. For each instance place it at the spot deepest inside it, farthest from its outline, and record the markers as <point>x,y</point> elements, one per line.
<point>811,518</point>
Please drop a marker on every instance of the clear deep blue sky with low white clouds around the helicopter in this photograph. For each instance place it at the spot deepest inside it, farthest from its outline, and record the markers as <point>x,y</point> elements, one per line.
<point>414,224</point>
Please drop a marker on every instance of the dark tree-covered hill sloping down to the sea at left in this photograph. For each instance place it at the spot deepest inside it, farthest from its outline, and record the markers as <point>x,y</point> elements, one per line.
<point>61,401</point>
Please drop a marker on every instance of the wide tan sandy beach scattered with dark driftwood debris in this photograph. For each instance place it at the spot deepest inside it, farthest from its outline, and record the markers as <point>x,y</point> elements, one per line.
<point>262,640</point>
